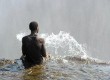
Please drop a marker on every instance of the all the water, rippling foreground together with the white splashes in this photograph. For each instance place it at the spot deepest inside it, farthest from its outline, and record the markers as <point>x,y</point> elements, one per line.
<point>69,61</point>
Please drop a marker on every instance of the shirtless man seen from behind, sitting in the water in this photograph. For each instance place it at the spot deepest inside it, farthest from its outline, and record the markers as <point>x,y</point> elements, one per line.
<point>33,48</point>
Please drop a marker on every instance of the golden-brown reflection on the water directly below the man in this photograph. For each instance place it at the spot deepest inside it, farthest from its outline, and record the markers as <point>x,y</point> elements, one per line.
<point>34,73</point>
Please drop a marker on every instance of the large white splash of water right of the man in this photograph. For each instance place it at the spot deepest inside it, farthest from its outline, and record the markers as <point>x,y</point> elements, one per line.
<point>64,43</point>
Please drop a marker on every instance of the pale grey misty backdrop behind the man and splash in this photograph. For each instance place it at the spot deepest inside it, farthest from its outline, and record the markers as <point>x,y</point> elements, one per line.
<point>87,21</point>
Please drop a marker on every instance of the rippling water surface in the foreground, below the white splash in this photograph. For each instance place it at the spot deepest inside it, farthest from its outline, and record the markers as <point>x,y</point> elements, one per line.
<point>59,69</point>
